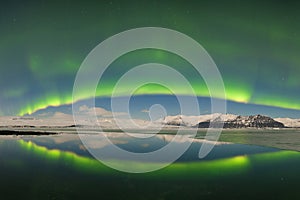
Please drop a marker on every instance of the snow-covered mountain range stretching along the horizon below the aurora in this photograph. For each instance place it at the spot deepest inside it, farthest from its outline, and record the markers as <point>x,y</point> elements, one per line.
<point>108,122</point>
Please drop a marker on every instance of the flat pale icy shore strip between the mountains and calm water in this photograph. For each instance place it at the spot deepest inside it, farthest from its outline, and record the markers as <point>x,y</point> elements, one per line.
<point>285,138</point>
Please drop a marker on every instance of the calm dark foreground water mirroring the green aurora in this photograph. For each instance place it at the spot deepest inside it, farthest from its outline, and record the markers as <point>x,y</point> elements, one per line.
<point>59,167</point>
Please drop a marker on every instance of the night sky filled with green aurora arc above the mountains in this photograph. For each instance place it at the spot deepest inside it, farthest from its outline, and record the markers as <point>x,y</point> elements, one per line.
<point>255,45</point>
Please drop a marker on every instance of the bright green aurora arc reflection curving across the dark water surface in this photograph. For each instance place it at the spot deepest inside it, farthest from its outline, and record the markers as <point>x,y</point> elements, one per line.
<point>227,166</point>
